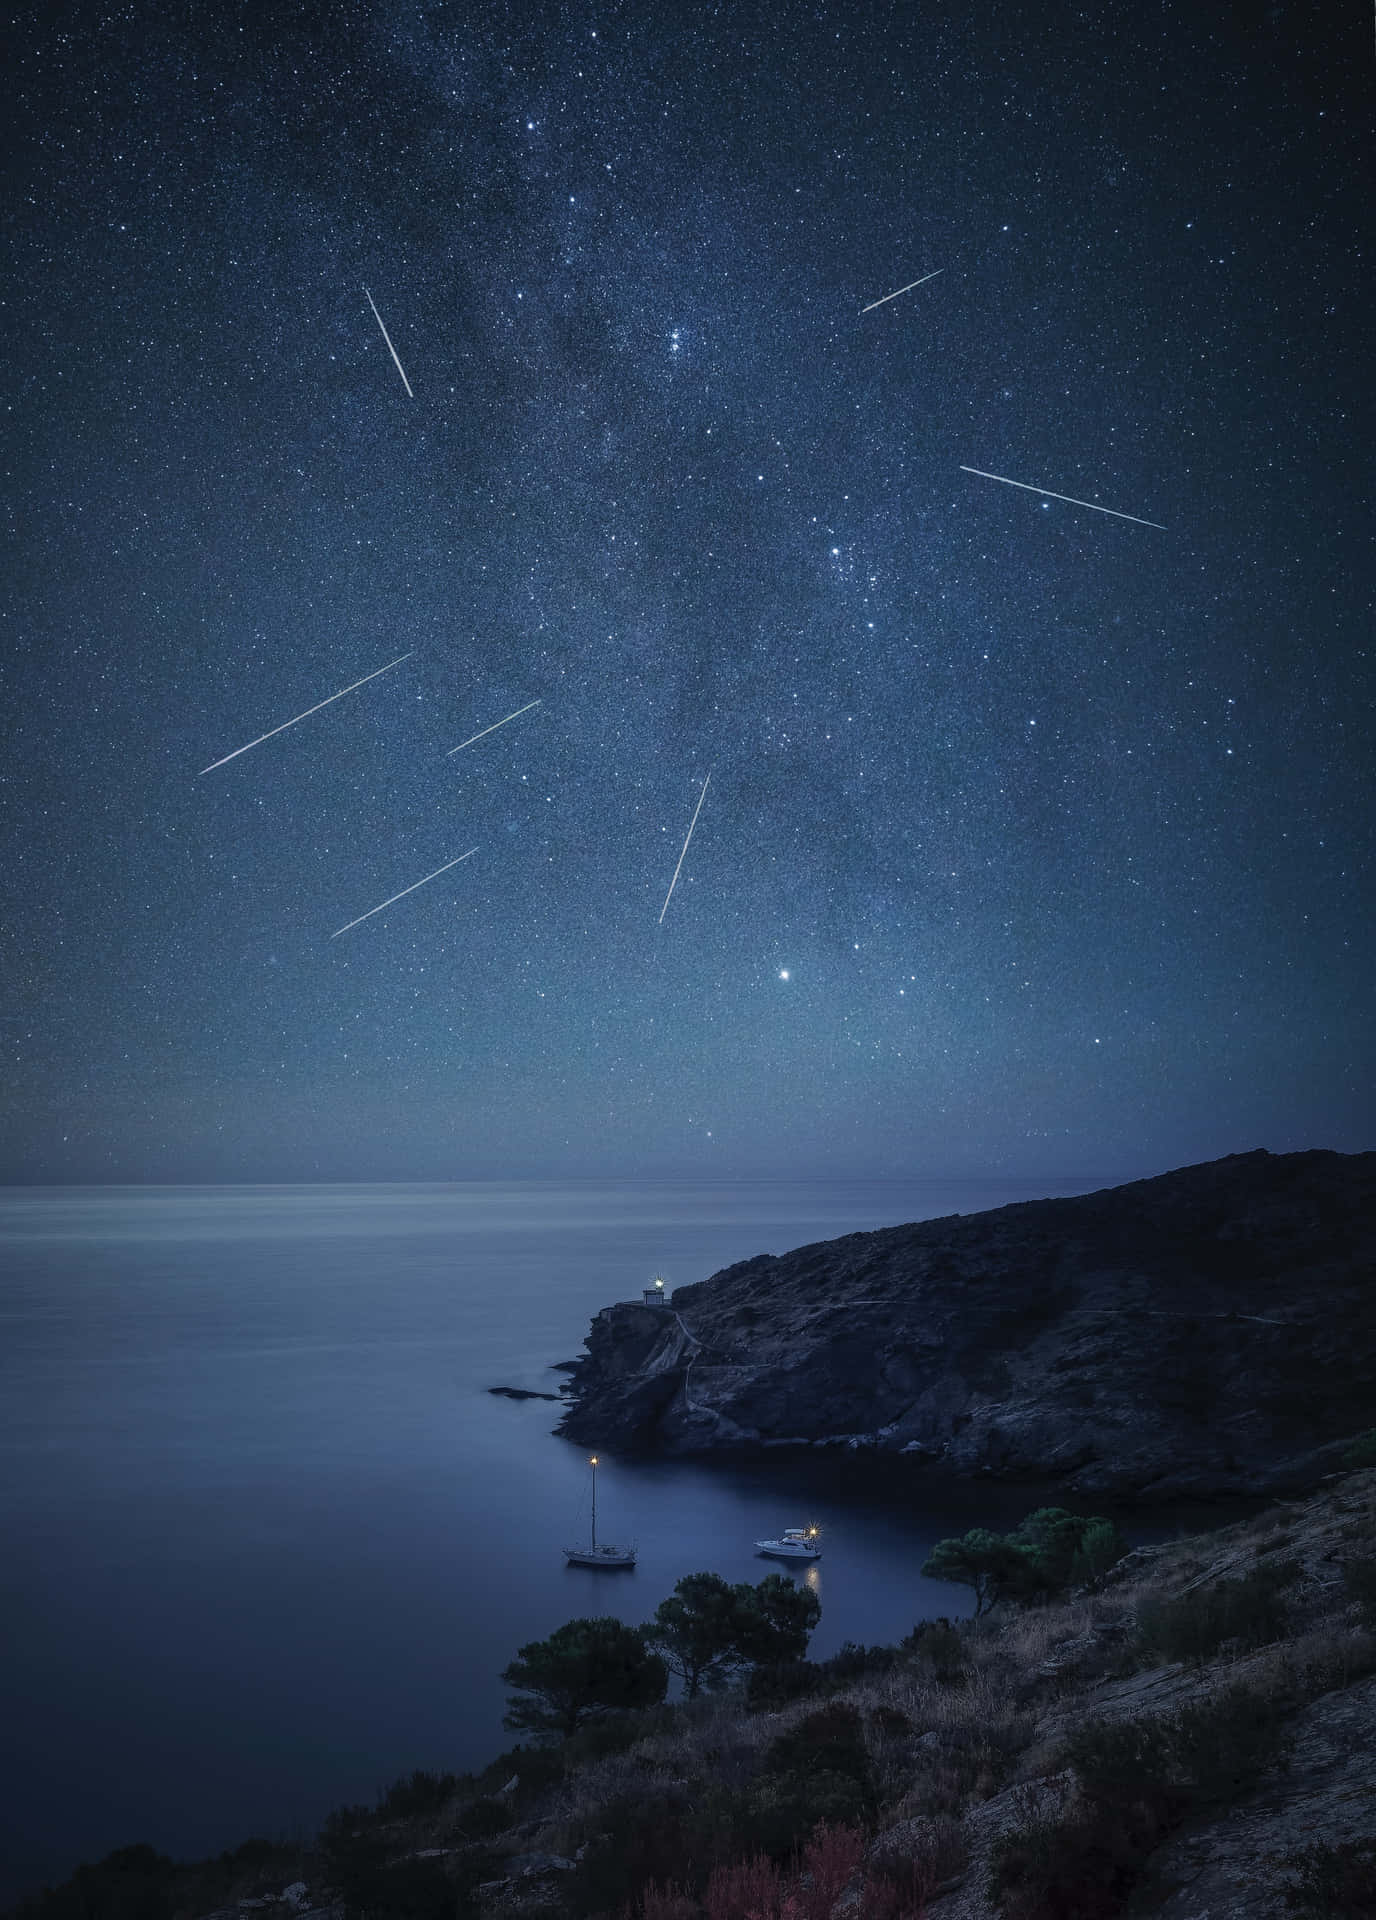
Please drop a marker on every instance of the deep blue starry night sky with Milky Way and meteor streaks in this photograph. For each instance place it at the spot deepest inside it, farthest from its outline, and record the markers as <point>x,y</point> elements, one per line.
<point>1037,840</point>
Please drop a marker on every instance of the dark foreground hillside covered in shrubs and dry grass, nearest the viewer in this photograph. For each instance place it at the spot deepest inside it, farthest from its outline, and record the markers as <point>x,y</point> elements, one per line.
<point>1041,1762</point>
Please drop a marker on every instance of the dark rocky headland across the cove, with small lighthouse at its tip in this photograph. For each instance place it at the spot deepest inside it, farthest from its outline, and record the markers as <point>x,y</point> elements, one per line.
<point>1204,1333</point>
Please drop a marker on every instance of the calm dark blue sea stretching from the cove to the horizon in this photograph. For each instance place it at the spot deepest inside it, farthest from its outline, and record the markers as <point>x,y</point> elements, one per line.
<point>268,1541</point>
